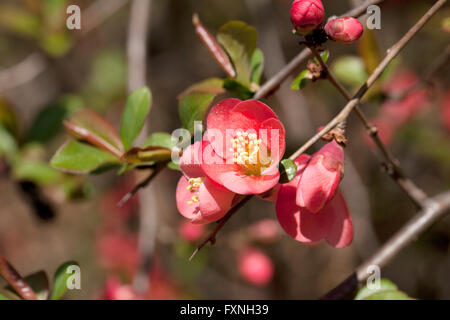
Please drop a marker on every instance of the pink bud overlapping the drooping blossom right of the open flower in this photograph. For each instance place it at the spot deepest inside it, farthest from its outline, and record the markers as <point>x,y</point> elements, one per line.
<point>320,178</point>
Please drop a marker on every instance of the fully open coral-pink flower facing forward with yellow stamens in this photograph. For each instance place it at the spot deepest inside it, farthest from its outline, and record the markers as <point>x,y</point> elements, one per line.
<point>243,145</point>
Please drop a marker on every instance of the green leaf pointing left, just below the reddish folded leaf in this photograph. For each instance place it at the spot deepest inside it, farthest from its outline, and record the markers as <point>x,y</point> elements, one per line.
<point>78,157</point>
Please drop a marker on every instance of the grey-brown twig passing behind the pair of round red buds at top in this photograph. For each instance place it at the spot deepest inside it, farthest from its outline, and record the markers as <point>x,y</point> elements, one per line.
<point>271,85</point>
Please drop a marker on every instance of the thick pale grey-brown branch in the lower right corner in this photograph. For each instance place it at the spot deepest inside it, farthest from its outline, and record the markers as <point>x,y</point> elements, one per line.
<point>433,210</point>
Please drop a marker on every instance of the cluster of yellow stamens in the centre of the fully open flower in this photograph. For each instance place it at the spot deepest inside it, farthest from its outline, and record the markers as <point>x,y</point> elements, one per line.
<point>246,149</point>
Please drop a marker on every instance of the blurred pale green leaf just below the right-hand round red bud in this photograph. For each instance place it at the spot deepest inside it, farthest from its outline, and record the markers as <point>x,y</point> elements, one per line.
<point>350,70</point>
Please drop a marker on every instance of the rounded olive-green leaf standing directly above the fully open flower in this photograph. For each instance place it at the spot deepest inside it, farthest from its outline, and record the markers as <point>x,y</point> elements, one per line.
<point>239,41</point>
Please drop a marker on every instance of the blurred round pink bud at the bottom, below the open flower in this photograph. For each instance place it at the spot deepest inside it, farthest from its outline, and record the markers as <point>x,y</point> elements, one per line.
<point>255,267</point>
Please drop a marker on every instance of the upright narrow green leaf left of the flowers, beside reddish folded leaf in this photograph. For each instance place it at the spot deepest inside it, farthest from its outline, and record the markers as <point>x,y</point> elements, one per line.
<point>133,118</point>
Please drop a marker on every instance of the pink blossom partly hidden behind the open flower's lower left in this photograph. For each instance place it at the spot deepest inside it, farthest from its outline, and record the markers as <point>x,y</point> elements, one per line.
<point>198,198</point>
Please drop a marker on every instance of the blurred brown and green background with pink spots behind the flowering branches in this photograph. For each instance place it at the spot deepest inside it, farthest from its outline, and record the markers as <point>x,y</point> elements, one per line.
<point>48,217</point>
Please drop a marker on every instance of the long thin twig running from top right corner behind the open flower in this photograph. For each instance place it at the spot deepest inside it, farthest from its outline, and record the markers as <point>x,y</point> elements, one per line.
<point>345,112</point>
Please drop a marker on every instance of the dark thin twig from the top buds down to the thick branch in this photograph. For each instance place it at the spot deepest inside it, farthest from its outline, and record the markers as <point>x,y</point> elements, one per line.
<point>394,170</point>
